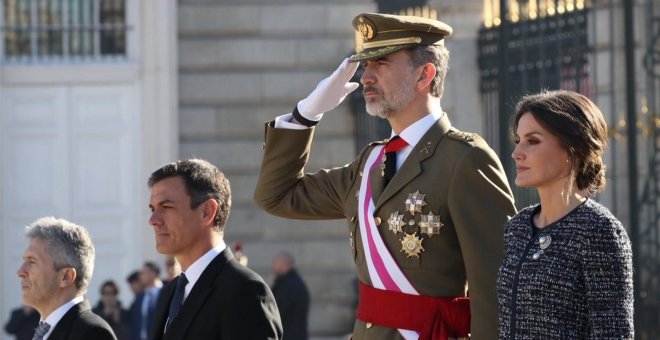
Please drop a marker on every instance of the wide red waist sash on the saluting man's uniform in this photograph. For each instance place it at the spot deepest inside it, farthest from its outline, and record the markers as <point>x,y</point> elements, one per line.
<point>435,318</point>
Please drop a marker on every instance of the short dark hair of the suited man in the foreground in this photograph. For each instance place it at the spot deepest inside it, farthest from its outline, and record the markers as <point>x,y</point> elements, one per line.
<point>203,181</point>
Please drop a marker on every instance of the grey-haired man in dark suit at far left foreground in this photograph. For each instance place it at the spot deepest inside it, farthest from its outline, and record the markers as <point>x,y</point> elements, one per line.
<point>56,270</point>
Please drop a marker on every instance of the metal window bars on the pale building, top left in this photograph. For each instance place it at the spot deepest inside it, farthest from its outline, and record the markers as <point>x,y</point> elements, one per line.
<point>58,31</point>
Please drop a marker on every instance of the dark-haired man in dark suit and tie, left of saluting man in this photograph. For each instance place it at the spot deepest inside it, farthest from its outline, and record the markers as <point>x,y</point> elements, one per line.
<point>214,297</point>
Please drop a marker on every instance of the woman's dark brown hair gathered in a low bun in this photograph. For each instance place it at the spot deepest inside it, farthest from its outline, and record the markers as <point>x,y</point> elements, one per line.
<point>580,128</point>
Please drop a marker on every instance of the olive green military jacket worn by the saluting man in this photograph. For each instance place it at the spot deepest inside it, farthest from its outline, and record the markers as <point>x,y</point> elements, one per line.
<point>463,182</point>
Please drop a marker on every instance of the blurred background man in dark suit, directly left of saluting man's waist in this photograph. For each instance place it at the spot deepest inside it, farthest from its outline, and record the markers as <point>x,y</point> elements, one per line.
<point>292,297</point>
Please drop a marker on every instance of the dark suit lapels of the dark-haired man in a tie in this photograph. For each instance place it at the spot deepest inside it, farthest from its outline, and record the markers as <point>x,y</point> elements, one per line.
<point>197,298</point>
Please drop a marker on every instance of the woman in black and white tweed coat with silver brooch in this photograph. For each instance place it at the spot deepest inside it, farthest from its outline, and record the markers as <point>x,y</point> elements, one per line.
<point>567,268</point>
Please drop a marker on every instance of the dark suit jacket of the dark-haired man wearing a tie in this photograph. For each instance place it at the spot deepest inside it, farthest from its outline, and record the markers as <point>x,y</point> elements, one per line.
<point>229,301</point>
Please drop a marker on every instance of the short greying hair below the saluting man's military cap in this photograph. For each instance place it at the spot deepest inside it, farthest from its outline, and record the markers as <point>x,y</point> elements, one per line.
<point>438,55</point>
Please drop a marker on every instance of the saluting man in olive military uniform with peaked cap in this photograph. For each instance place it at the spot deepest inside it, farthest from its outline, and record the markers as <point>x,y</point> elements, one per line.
<point>425,208</point>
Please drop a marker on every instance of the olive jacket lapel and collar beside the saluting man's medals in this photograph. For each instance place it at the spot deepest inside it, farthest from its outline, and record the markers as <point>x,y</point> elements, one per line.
<point>412,166</point>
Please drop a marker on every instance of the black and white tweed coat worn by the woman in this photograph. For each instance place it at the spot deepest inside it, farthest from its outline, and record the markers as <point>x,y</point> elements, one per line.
<point>580,287</point>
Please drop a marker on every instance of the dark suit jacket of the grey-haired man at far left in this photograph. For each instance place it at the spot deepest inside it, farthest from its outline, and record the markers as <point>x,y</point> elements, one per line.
<point>79,323</point>
